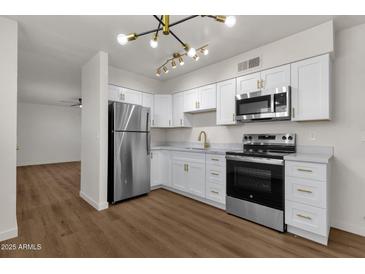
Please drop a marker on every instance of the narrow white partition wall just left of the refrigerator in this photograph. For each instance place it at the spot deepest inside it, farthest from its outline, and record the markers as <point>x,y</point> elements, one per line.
<point>94,131</point>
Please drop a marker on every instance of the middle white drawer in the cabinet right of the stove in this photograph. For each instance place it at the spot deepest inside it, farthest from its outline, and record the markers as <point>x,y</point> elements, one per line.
<point>306,191</point>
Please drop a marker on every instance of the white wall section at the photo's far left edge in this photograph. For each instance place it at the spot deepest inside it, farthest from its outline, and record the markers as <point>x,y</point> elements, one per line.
<point>8,106</point>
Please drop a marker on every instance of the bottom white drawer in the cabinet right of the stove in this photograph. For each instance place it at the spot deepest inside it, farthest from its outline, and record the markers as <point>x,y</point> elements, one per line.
<point>306,217</point>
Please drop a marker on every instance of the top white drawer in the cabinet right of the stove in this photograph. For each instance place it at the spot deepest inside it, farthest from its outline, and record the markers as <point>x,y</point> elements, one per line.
<point>304,170</point>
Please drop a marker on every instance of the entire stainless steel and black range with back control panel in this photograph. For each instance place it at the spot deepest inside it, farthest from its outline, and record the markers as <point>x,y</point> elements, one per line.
<point>255,179</point>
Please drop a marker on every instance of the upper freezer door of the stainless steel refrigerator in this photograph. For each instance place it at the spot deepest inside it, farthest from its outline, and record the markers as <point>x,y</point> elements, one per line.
<point>128,117</point>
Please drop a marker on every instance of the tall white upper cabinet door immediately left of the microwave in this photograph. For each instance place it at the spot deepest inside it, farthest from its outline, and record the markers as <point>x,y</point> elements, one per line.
<point>226,92</point>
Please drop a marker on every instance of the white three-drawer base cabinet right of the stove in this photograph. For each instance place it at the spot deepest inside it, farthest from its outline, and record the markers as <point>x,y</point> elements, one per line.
<point>306,200</point>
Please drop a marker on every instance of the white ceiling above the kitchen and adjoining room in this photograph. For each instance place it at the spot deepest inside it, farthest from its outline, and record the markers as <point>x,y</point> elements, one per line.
<point>53,48</point>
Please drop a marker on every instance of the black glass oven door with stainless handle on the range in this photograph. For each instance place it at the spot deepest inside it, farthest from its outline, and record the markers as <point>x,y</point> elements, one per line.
<point>257,180</point>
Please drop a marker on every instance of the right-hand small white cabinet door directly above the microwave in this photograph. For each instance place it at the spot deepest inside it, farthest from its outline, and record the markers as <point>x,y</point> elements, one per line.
<point>275,77</point>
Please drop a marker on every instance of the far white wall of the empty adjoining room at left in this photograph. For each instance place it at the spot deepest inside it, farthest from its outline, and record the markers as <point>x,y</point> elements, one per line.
<point>48,134</point>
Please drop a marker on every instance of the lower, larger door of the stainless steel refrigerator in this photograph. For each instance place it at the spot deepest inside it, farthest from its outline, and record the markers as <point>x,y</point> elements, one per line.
<point>131,165</point>
